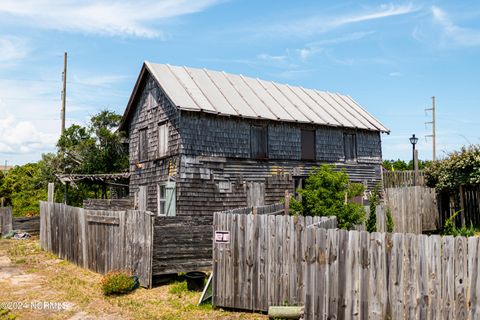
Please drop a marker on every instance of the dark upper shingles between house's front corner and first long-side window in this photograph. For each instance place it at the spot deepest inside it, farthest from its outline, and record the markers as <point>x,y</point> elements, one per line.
<point>204,134</point>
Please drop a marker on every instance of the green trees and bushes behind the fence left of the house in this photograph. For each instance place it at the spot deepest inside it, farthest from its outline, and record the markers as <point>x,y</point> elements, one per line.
<point>95,148</point>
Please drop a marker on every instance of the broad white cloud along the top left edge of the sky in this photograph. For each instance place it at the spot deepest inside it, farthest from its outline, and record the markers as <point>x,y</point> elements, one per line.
<point>105,17</point>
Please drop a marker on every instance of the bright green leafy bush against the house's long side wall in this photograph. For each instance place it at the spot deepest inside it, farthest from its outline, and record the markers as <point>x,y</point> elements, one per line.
<point>324,195</point>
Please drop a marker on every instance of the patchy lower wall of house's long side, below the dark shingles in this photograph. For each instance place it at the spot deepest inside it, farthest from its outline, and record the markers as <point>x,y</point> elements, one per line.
<point>207,185</point>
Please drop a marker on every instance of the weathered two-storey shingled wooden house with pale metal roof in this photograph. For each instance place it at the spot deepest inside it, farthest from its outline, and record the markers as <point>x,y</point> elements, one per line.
<point>204,141</point>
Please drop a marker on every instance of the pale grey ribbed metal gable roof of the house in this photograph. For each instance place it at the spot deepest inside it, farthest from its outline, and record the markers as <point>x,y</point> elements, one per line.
<point>227,94</point>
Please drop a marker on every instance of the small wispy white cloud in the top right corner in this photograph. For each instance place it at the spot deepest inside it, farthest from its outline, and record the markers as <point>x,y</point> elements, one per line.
<point>461,36</point>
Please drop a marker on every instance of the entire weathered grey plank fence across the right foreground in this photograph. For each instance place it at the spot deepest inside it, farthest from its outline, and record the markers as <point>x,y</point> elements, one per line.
<point>338,274</point>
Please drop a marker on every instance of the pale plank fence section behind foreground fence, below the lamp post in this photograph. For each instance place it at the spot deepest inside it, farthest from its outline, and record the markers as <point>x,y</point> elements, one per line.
<point>414,209</point>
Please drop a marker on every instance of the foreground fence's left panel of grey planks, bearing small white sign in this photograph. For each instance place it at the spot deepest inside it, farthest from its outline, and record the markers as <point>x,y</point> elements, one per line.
<point>262,263</point>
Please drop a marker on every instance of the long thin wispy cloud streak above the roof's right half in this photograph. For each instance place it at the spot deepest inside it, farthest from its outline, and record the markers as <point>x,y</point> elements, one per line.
<point>321,24</point>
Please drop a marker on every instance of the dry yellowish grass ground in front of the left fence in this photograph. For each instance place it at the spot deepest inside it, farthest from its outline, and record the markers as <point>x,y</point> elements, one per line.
<point>34,275</point>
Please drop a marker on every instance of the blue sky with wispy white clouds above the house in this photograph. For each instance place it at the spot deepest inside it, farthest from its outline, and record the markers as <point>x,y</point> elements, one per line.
<point>391,57</point>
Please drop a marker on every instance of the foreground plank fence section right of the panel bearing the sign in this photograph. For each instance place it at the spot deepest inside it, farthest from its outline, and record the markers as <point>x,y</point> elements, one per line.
<point>391,276</point>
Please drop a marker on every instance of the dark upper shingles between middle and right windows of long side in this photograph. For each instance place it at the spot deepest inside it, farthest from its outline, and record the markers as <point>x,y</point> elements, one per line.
<point>329,144</point>
